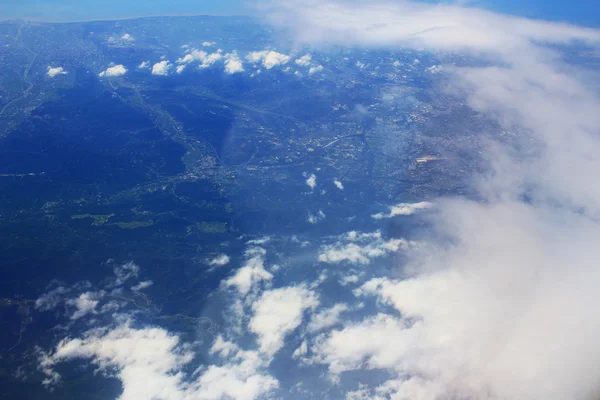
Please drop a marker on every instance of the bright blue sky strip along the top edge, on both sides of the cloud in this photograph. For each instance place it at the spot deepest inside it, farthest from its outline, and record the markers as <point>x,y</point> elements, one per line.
<point>584,12</point>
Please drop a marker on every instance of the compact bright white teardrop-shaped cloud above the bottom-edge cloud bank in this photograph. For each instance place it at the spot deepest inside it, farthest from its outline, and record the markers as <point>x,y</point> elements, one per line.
<point>277,313</point>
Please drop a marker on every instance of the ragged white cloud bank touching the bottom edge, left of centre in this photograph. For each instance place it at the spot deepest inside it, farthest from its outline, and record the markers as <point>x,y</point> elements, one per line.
<point>150,364</point>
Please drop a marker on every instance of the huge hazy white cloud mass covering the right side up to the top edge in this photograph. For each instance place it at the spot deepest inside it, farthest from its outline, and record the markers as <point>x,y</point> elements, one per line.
<point>501,310</point>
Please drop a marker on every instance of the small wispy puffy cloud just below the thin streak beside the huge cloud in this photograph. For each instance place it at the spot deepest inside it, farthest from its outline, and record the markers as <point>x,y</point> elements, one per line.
<point>359,248</point>
